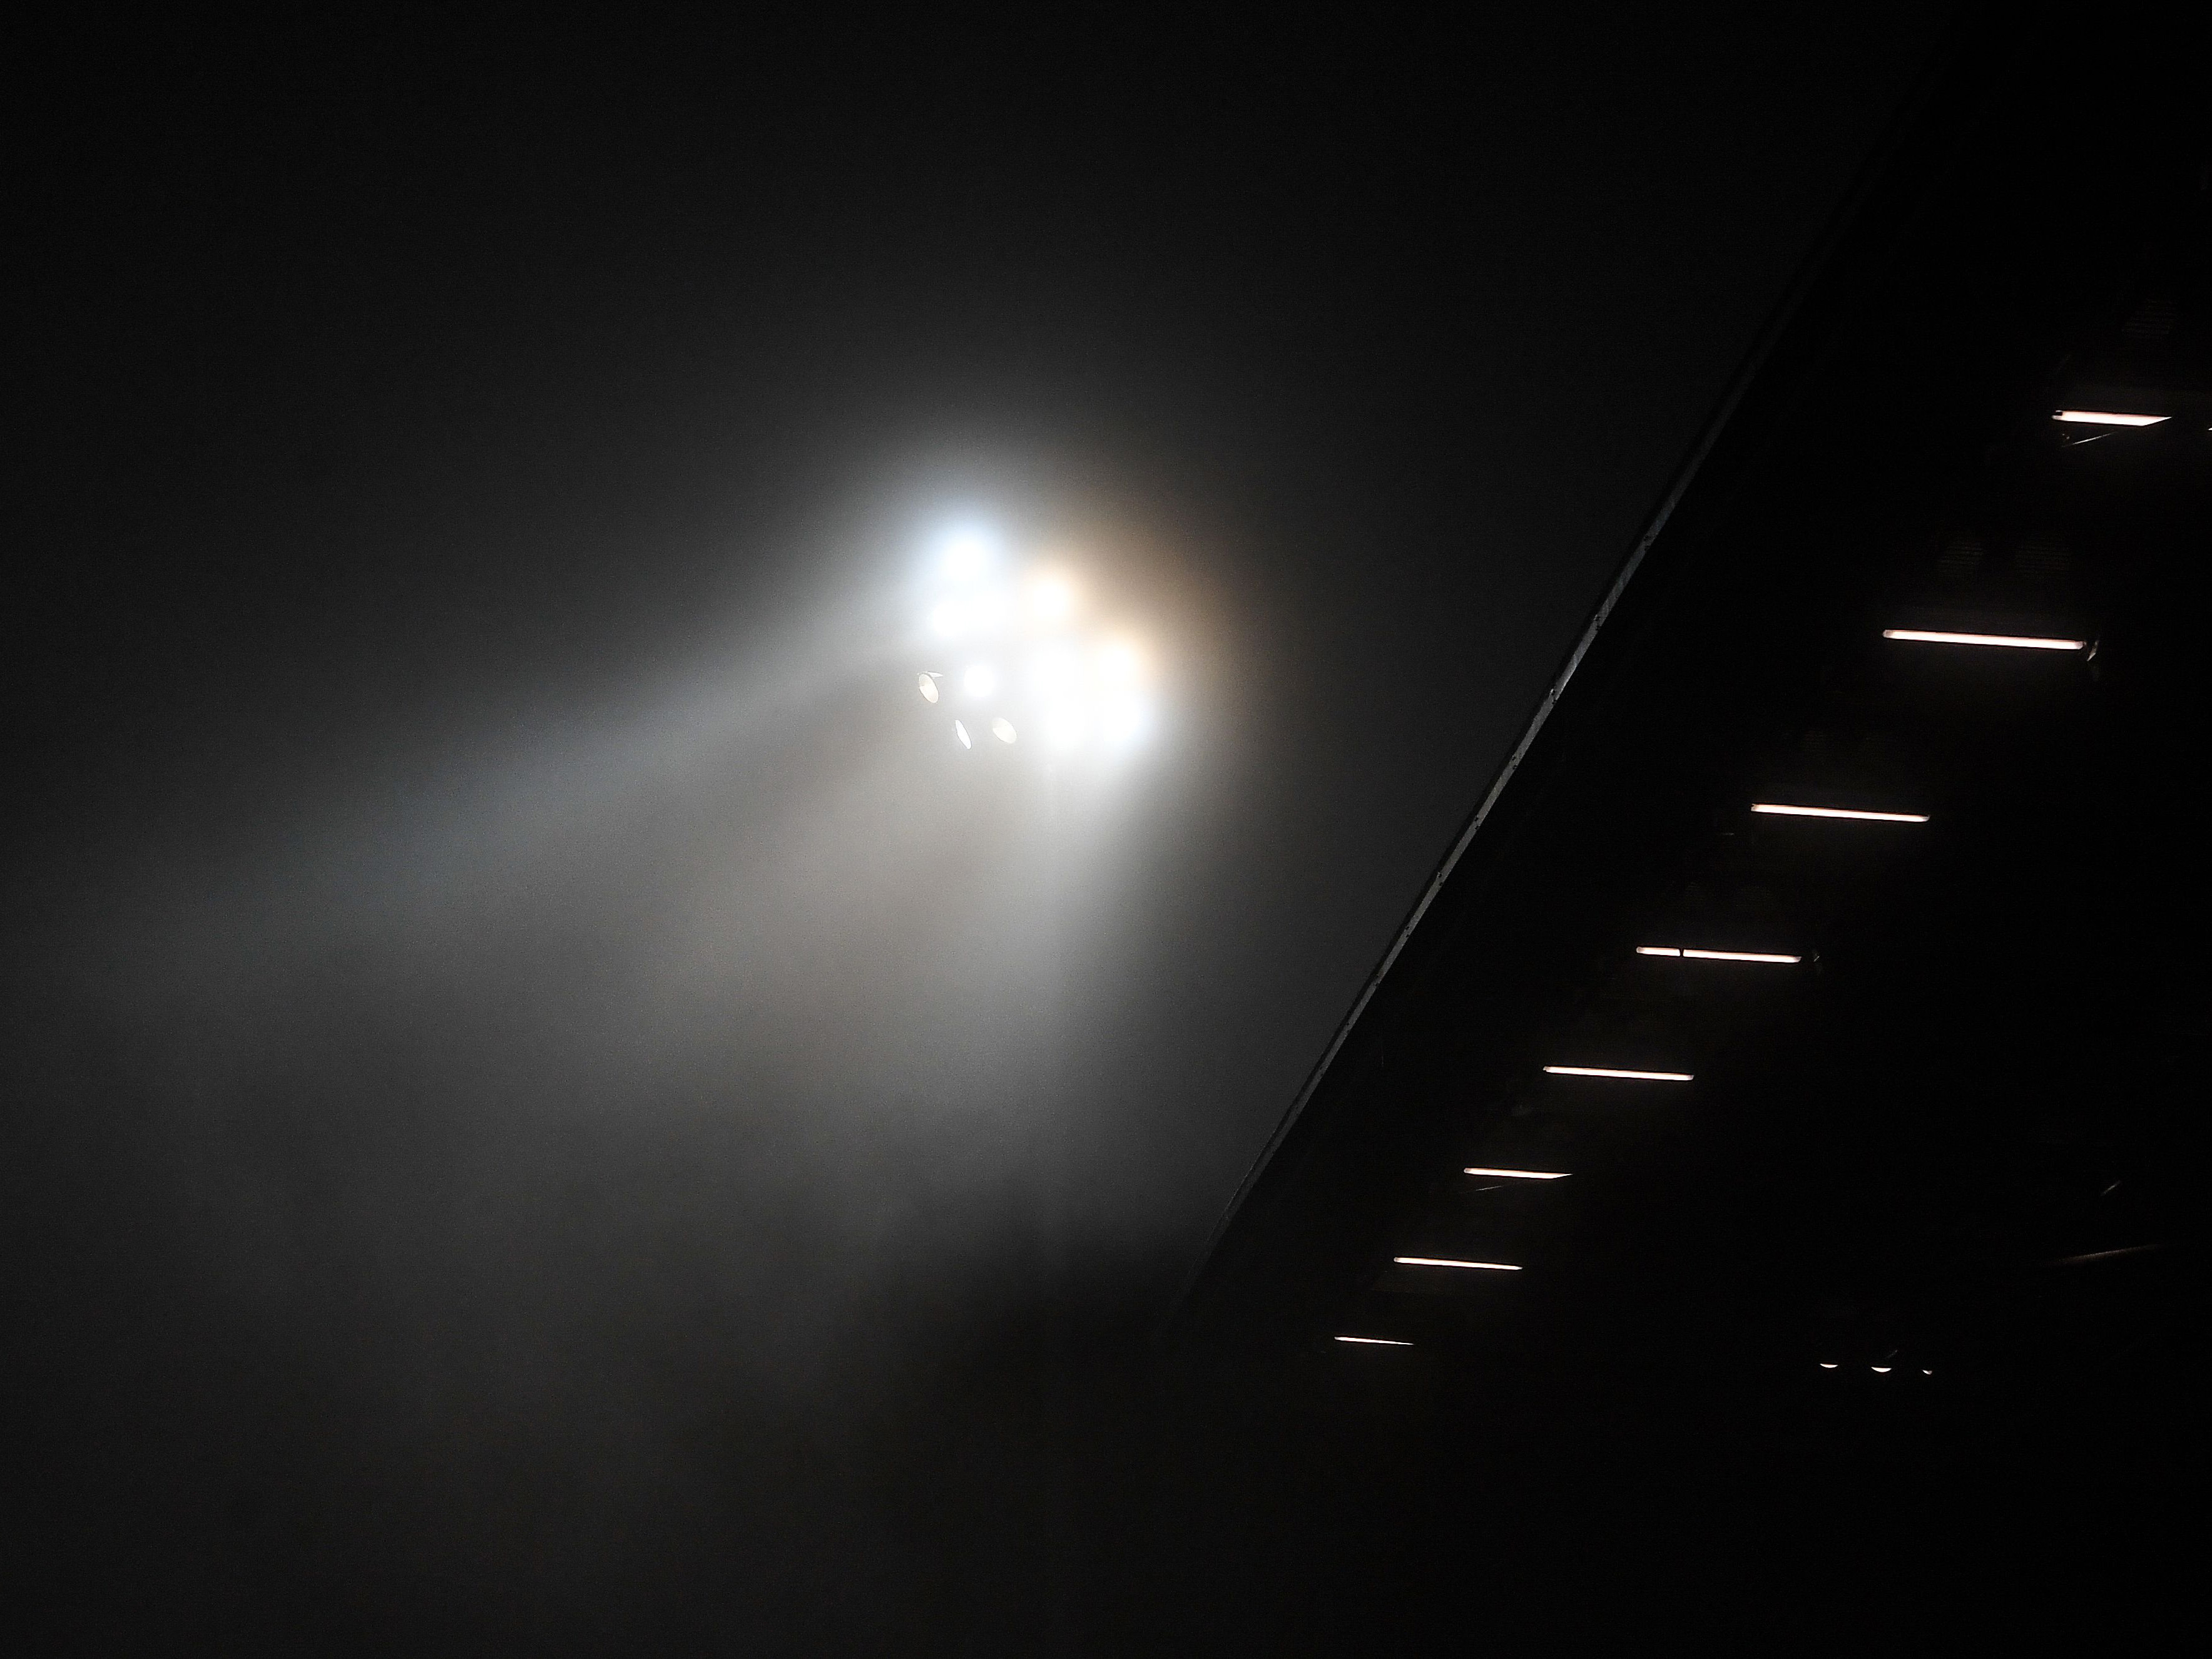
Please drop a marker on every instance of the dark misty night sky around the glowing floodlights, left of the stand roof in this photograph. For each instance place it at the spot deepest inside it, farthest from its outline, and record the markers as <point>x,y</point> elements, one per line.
<point>525,1056</point>
